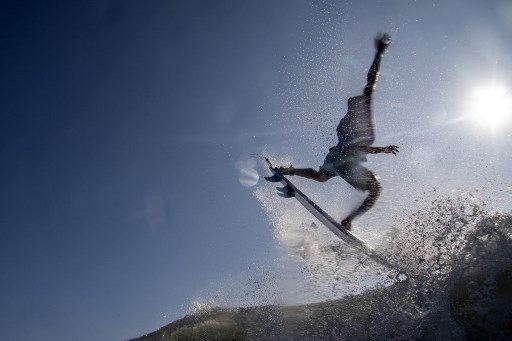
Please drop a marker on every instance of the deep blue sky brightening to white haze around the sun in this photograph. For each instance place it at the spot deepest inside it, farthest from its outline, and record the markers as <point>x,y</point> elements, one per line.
<point>124,125</point>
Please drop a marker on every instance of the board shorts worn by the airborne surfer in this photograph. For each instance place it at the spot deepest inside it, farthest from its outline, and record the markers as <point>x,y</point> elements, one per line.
<point>349,167</point>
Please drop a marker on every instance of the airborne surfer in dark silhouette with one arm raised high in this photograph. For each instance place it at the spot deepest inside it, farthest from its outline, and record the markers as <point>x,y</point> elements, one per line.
<point>356,134</point>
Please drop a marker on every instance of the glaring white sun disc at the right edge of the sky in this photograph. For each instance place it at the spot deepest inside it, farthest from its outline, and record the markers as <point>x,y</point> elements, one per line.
<point>490,106</point>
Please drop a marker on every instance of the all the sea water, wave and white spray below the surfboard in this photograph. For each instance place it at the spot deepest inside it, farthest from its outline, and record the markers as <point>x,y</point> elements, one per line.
<point>456,252</point>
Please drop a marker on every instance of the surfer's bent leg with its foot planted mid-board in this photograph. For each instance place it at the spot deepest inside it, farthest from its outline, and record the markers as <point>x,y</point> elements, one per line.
<point>361,178</point>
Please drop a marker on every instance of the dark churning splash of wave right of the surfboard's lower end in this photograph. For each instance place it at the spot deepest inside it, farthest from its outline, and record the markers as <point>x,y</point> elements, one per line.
<point>458,254</point>
